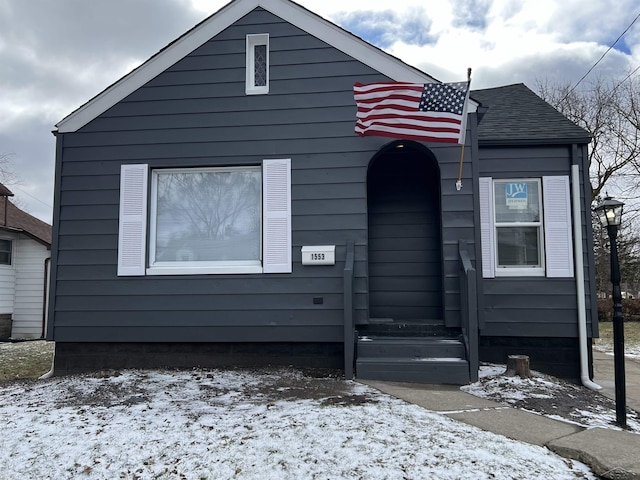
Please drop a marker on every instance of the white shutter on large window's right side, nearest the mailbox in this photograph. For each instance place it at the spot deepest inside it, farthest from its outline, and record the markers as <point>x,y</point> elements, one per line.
<point>276,192</point>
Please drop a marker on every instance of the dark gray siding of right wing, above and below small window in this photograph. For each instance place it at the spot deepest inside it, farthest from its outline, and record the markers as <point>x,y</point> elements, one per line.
<point>537,307</point>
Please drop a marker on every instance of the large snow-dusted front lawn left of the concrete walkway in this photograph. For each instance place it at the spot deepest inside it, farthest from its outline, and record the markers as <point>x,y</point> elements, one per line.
<point>275,424</point>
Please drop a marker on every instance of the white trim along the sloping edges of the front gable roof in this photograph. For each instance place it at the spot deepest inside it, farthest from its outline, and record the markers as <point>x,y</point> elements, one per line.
<point>289,11</point>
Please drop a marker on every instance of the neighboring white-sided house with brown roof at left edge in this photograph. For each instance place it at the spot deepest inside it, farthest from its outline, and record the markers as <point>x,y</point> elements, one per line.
<point>25,253</point>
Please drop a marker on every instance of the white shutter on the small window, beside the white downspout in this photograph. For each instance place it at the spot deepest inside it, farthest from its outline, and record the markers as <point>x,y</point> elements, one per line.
<point>557,226</point>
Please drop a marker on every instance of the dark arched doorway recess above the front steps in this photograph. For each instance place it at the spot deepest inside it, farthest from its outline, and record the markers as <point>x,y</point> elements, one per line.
<point>405,253</point>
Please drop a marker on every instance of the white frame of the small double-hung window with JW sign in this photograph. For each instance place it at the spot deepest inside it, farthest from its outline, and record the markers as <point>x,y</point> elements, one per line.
<point>519,271</point>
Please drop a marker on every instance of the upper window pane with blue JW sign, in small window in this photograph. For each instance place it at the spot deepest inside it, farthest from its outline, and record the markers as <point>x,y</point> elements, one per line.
<point>517,201</point>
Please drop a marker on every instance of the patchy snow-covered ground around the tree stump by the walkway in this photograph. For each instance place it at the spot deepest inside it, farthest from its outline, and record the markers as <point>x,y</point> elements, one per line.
<point>550,396</point>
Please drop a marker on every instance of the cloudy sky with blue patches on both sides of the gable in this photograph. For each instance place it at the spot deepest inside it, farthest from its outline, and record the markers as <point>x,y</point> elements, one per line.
<point>55,56</point>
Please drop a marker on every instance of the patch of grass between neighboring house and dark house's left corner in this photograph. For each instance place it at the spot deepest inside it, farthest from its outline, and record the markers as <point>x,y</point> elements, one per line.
<point>25,360</point>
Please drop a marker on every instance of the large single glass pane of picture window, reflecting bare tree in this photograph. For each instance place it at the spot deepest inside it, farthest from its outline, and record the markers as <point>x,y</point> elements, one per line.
<point>210,216</point>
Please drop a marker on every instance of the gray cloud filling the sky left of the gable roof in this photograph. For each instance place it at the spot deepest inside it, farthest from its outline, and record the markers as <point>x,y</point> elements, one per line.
<point>57,55</point>
